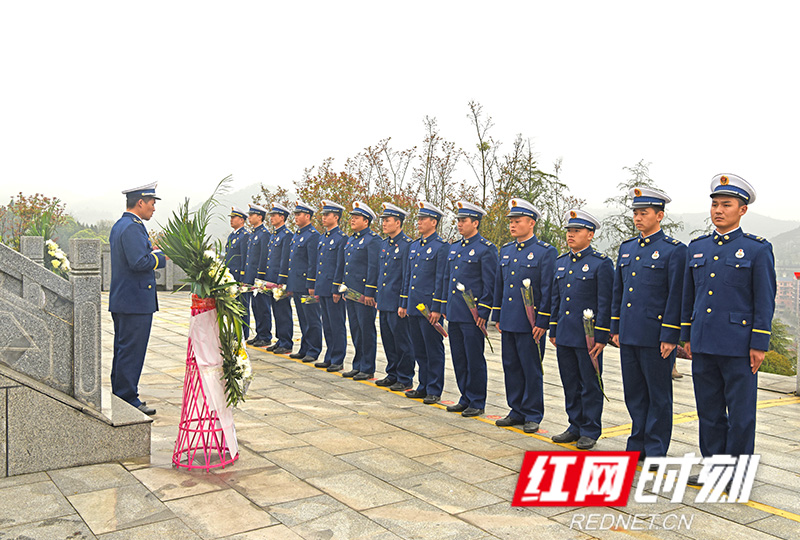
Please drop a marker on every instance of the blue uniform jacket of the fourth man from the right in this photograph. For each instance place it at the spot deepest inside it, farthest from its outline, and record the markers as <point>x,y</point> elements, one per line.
<point>532,259</point>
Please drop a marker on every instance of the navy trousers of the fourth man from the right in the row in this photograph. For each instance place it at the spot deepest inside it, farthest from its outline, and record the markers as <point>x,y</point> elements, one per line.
<point>523,375</point>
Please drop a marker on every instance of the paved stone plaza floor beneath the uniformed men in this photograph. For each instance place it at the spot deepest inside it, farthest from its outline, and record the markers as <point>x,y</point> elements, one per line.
<point>329,458</point>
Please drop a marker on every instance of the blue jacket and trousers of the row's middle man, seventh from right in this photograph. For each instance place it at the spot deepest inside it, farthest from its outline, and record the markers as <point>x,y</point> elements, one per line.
<point>392,267</point>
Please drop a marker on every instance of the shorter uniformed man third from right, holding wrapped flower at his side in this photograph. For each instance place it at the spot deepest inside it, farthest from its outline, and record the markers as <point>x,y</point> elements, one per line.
<point>584,279</point>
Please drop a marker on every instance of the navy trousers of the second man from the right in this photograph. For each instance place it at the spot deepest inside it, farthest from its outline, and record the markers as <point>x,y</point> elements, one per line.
<point>647,381</point>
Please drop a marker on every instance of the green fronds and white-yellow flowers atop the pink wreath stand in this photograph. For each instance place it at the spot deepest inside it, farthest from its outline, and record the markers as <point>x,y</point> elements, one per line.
<point>186,242</point>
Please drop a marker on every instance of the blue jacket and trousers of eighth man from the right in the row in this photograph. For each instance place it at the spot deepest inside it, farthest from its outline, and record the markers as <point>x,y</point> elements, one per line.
<point>361,274</point>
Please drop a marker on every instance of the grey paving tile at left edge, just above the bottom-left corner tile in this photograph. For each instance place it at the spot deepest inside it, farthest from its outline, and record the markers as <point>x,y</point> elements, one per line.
<point>27,503</point>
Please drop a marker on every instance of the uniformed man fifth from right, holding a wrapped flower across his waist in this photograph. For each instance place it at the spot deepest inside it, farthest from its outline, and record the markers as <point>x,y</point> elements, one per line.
<point>471,265</point>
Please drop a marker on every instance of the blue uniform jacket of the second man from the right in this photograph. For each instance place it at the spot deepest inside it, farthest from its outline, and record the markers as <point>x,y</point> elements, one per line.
<point>648,289</point>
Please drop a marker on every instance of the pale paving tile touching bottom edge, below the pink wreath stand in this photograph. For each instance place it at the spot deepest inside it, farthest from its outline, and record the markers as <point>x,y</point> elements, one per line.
<point>220,513</point>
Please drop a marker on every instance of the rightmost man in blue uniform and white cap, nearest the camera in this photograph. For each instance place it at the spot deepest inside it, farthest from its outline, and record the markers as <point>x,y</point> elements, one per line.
<point>728,303</point>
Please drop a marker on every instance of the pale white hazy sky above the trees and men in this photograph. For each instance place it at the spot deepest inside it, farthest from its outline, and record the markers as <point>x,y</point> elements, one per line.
<point>101,96</point>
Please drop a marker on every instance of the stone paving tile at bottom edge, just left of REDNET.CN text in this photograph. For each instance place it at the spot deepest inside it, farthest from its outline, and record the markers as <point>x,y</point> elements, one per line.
<point>505,521</point>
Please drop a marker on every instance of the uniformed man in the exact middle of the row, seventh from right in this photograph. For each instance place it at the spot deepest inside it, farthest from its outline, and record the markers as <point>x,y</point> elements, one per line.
<point>392,266</point>
